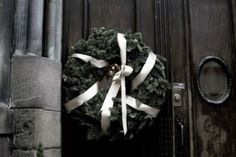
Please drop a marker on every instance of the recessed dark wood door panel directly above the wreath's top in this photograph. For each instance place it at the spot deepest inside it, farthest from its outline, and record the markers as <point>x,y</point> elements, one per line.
<point>116,15</point>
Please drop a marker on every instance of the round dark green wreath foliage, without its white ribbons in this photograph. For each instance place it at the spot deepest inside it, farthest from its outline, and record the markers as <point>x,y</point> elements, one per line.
<point>78,76</point>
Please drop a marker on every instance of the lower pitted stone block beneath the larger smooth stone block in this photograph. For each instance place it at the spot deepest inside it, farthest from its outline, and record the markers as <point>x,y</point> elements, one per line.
<point>34,126</point>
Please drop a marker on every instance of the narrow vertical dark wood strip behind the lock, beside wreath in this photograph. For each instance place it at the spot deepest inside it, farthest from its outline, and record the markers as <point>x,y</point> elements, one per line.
<point>179,62</point>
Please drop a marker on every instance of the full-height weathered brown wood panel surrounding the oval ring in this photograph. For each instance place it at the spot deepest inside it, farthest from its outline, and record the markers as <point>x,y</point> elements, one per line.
<point>212,34</point>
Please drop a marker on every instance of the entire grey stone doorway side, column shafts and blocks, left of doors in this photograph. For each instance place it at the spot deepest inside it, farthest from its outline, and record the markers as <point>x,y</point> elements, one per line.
<point>30,84</point>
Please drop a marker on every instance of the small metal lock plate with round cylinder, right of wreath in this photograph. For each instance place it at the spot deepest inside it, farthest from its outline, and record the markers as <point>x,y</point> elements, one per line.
<point>177,94</point>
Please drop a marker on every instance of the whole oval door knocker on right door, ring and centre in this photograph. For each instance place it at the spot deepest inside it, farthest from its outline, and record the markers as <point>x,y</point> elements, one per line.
<point>213,80</point>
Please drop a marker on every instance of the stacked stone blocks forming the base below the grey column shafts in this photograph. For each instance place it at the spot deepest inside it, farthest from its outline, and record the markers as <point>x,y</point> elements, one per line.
<point>36,97</point>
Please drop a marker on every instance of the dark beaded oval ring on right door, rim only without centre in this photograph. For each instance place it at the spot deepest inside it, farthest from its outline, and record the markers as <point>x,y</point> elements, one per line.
<point>228,75</point>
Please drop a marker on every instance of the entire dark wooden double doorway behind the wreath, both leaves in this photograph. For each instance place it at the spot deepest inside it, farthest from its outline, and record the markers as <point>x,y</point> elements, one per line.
<point>185,32</point>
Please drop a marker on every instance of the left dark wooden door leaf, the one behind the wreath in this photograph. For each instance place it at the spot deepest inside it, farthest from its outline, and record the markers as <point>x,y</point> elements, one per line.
<point>148,17</point>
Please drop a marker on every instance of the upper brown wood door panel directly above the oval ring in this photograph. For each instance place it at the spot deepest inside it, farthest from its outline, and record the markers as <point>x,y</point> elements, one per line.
<point>211,29</point>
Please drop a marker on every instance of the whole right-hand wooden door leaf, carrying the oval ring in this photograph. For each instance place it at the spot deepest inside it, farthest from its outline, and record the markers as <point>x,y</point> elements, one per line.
<point>200,29</point>
